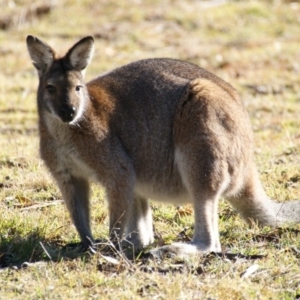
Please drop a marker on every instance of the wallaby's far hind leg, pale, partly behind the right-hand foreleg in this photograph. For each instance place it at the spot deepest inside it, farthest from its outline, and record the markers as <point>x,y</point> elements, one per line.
<point>139,231</point>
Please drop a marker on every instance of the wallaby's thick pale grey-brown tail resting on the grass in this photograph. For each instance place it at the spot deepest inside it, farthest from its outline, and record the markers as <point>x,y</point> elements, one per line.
<point>254,205</point>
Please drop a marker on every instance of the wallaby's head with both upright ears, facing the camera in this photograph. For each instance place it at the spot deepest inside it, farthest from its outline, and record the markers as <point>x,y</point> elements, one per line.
<point>62,91</point>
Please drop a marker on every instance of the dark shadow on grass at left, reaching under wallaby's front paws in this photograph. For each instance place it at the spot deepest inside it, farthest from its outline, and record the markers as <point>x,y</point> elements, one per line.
<point>20,251</point>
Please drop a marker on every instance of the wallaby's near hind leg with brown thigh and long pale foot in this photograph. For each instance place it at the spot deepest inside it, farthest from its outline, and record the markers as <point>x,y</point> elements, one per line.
<point>202,141</point>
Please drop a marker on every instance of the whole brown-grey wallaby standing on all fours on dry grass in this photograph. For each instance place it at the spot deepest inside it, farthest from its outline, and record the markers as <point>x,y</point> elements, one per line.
<point>162,129</point>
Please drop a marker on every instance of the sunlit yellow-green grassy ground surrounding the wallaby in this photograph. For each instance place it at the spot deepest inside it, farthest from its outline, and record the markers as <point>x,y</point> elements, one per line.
<point>253,45</point>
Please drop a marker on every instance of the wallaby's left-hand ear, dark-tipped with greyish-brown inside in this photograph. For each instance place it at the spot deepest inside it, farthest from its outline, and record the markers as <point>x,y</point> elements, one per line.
<point>41,54</point>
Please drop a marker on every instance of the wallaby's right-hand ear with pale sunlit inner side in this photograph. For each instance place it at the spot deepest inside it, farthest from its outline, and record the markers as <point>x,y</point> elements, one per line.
<point>80,55</point>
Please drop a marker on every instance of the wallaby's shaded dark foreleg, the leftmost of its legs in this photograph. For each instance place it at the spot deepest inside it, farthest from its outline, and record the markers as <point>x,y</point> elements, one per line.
<point>75,192</point>
